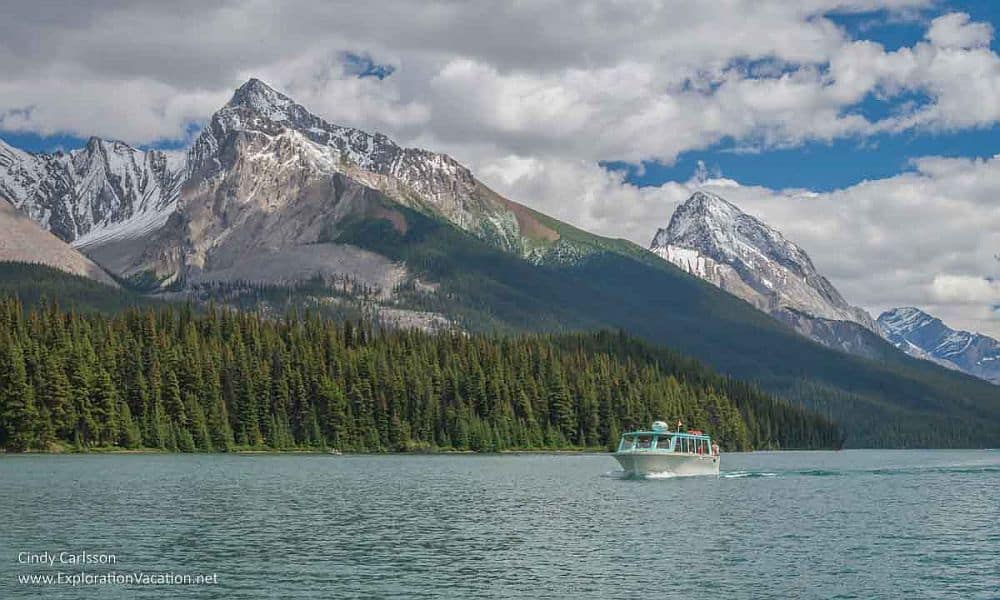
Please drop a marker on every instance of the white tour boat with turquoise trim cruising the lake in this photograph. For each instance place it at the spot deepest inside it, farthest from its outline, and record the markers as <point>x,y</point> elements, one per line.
<point>664,452</point>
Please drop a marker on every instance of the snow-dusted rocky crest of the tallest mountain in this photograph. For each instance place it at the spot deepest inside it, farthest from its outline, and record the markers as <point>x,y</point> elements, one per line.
<point>426,181</point>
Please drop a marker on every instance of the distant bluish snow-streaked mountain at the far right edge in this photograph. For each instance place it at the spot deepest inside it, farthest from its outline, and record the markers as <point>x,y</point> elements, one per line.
<point>924,336</point>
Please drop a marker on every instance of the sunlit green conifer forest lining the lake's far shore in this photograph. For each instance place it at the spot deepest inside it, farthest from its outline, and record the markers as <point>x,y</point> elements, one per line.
<point>179,379</point>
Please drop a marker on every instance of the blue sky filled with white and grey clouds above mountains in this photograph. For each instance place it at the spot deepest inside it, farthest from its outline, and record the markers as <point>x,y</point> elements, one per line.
<point>864,130</point>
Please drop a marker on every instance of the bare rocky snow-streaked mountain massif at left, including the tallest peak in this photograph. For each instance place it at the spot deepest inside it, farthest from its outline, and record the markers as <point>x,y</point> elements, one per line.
<point>264,178</point>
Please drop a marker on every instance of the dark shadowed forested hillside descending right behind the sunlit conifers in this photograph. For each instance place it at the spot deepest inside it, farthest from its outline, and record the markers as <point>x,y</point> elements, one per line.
<point>893,401</point>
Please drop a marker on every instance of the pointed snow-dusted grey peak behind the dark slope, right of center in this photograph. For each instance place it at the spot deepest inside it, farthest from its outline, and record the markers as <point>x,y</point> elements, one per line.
<point>716,241</point>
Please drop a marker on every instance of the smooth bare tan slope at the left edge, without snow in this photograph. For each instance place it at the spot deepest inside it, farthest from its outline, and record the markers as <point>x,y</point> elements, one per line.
<point>24,241</point>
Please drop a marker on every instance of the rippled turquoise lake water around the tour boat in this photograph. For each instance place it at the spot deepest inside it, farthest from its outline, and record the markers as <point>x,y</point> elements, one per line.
<point>852,524</point>
